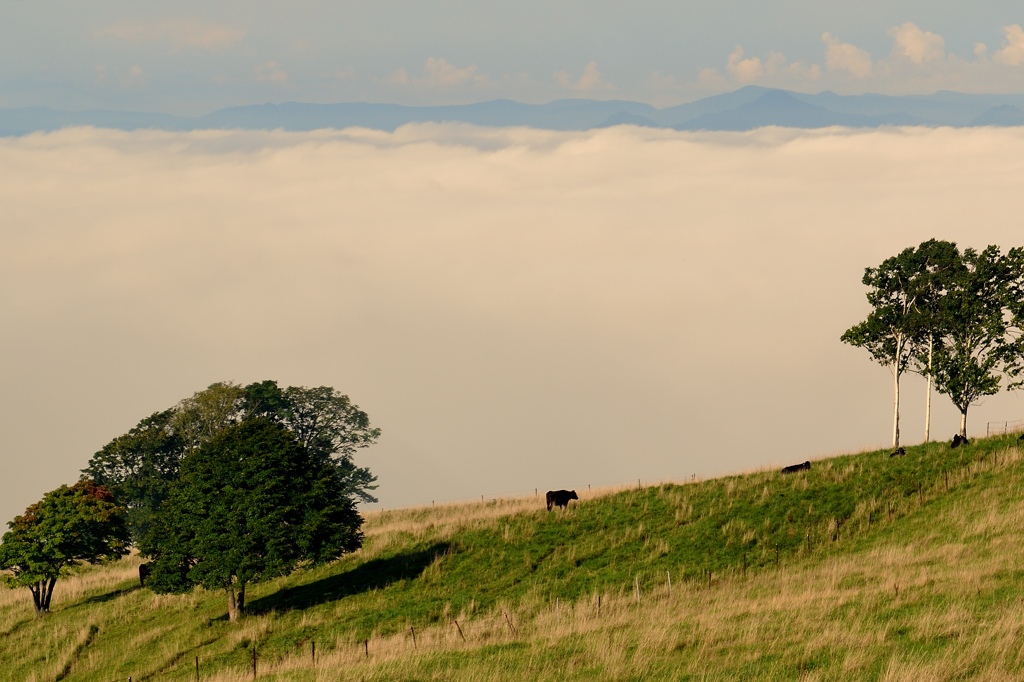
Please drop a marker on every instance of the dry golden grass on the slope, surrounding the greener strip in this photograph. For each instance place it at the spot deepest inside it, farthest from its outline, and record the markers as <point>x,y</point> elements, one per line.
<point>940,596</point>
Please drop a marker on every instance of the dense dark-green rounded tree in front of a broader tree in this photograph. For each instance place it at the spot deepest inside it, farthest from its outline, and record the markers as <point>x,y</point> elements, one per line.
<point>251,504</point>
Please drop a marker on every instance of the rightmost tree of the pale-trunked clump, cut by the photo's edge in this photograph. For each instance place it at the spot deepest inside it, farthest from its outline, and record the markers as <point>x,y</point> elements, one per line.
<point>978,335</point>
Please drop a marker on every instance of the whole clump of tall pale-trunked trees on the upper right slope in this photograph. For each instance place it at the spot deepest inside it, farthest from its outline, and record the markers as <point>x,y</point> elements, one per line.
<point>955,318</point>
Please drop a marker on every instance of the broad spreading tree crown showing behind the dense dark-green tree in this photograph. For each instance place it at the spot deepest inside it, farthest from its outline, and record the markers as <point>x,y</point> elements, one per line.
<point>141,465</point>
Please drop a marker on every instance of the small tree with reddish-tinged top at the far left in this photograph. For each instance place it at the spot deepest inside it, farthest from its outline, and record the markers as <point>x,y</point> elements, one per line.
<point>68,527</point>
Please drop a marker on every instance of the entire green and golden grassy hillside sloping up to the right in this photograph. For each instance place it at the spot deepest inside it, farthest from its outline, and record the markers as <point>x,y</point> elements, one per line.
<point>864,568</point>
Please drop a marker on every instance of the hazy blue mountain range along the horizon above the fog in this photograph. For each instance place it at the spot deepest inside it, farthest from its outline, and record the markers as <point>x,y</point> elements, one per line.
<point>746,109</point>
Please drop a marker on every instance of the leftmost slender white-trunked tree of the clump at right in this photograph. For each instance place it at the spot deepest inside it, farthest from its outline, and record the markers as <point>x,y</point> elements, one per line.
<point>895,327</point>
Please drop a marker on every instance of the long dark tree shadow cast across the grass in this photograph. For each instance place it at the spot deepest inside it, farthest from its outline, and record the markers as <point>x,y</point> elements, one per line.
<point>371,576</point>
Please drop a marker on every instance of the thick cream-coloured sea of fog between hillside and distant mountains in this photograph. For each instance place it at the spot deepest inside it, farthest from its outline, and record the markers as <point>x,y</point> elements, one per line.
<point>515,309</point>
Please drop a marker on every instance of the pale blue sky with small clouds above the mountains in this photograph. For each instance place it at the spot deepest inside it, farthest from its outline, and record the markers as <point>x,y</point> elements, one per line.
<point>191,58</point>
